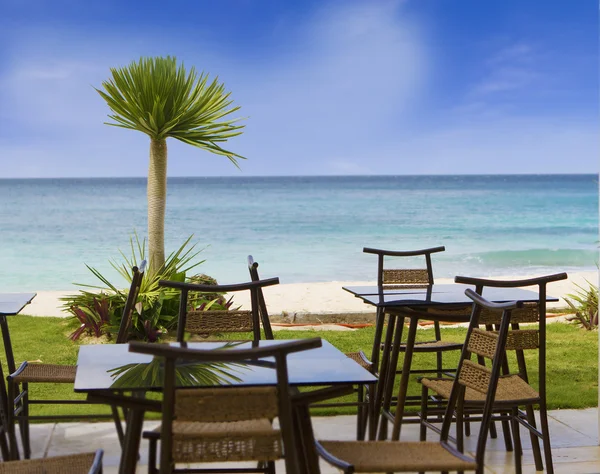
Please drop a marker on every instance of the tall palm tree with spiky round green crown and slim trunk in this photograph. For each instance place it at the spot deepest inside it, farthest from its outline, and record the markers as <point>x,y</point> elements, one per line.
<point>159,98</point>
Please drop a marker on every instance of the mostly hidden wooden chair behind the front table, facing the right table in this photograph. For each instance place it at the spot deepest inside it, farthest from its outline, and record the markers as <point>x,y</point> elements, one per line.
<point>359,357</point>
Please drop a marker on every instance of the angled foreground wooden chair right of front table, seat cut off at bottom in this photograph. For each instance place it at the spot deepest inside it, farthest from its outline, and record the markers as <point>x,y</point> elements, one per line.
<point>445,455</point>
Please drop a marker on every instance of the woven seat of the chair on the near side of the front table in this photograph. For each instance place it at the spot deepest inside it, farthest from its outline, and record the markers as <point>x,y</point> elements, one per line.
<point>250,440</point>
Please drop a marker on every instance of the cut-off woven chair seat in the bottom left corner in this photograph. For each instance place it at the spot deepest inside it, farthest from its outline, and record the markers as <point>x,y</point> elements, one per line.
<point>72,464</point>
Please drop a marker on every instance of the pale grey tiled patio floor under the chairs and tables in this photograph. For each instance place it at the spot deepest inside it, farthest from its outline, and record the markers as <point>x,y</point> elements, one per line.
<point>574,441</point>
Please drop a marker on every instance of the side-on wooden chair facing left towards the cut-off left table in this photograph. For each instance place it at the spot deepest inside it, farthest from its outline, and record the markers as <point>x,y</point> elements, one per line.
<point>20,379</point>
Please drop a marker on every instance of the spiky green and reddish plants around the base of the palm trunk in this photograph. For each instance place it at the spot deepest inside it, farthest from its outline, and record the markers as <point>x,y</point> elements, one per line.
<point>156,308</point>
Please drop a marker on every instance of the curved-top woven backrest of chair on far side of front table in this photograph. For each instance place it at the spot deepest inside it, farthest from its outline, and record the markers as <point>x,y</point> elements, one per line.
<point>209,322</point>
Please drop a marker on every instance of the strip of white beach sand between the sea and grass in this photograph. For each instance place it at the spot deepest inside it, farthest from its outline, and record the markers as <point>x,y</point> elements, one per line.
<point>309,298</point>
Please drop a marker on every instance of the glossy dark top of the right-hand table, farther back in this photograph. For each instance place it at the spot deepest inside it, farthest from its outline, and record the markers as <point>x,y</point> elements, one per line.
<point>448,294</point>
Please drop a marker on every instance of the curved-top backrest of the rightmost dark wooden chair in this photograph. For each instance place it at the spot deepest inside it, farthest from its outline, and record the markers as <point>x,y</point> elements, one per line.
<point>521,339</point>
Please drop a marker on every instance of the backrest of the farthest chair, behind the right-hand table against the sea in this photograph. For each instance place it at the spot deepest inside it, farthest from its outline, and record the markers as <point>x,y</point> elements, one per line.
<point>404,277</point>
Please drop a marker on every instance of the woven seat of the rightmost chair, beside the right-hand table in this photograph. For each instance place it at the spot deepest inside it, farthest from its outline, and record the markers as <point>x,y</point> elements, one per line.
<point>511,388</point>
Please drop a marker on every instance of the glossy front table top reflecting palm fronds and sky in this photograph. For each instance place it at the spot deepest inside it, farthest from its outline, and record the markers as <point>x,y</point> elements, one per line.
<point>325,365</point>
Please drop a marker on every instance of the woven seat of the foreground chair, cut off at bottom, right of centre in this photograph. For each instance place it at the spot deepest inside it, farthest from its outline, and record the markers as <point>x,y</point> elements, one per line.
<point>396,456</point>
